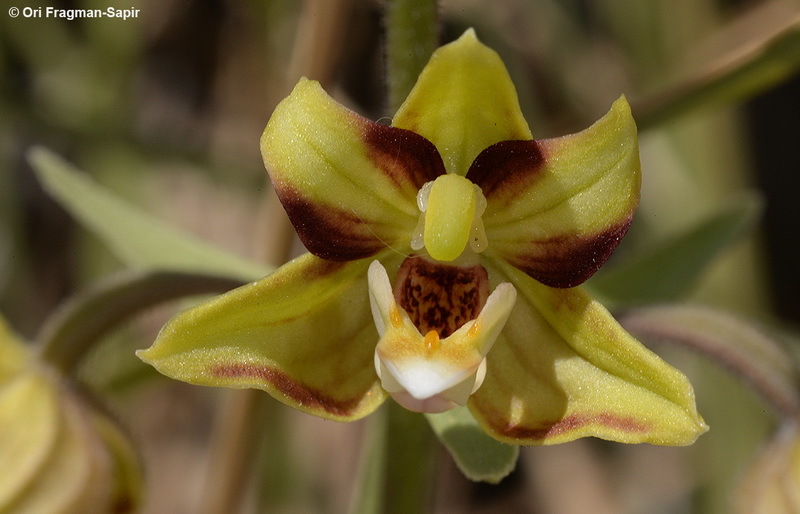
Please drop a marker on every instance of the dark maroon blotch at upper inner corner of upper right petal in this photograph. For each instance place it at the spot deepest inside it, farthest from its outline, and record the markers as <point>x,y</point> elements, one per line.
<point>507,168</point>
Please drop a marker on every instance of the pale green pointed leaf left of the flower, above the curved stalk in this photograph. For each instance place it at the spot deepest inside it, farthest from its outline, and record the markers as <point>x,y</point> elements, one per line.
<point>137,238</point>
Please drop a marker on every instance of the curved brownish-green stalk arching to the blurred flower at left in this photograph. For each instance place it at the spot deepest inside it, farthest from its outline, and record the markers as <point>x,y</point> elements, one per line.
<point>83,320</point>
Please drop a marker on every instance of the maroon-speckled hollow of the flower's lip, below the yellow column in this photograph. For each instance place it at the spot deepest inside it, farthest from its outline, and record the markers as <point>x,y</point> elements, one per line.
<point>438,296</point>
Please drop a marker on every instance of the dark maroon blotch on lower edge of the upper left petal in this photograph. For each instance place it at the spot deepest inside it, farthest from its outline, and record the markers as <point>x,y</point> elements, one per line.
<point>328,232</point>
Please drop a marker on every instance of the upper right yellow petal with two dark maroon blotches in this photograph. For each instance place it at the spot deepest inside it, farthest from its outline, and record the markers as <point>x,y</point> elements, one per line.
<point>557,208</point>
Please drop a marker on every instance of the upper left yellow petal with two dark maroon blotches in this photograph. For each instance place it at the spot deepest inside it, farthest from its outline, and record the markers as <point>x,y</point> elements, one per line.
<point>349,185</point>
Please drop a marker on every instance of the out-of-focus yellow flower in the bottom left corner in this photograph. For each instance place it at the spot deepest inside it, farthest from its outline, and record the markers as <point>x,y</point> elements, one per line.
<point>58,452</point>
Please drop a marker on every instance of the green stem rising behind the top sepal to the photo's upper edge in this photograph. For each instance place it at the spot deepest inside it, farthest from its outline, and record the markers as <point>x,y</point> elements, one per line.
<point>412,35</point>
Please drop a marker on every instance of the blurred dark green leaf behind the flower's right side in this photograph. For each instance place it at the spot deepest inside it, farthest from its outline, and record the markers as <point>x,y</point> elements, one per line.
<point>668,271</point>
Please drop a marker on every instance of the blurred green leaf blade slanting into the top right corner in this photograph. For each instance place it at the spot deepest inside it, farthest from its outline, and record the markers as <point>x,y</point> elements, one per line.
<point>755,65</point>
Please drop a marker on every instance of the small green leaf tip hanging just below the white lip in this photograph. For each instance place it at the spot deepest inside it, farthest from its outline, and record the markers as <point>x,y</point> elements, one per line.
<point>478,456</point>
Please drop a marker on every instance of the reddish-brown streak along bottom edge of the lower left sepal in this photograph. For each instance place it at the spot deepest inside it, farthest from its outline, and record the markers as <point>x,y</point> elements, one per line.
<point>305,396</point>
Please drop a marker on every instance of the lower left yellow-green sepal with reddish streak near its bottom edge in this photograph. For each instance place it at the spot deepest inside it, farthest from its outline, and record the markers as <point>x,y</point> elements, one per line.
<point>304,334</point>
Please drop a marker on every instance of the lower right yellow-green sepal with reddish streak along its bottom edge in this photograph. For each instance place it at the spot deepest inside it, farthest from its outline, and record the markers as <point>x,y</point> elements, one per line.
<point>563,368</point>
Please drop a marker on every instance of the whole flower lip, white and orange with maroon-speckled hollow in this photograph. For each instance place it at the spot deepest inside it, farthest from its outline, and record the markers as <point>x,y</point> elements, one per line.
<point>435,372</point>
